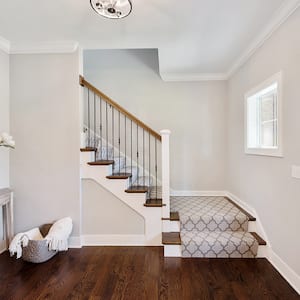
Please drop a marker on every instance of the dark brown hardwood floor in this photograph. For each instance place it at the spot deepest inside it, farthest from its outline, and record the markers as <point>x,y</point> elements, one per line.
<point>140,273</point>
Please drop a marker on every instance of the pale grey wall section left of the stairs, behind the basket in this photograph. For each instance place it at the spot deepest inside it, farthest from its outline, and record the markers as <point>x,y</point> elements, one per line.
<point>44,121</point>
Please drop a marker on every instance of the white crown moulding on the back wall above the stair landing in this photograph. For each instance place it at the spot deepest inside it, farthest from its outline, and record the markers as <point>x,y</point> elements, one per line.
<point>192,76</point>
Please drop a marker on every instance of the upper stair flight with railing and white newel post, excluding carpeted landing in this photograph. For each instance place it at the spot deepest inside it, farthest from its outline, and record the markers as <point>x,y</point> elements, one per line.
<point>127,158</point>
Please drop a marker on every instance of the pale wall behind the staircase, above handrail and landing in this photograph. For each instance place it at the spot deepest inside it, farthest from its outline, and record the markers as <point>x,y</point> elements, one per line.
<point>193,111</point>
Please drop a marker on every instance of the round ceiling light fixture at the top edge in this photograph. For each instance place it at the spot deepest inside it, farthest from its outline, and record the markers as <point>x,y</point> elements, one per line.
<point>112,9</point>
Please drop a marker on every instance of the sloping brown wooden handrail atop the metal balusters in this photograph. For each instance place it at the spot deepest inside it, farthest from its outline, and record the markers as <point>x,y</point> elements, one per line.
<point>85,83</point>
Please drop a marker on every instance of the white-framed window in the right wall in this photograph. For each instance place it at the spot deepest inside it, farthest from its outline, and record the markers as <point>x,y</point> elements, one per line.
<point>263,121</point>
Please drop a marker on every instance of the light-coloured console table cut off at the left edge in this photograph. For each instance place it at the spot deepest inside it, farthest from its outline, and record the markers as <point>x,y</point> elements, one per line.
<point>6,203</point>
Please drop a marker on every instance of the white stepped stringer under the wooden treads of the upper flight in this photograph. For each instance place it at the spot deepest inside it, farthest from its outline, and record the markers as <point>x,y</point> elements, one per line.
<point>152,216</point>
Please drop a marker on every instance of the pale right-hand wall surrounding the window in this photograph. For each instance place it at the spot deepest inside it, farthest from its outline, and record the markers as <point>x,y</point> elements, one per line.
<point>265,182</point>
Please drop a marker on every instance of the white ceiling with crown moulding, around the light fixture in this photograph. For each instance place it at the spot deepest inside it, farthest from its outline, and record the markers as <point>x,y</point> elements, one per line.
<point>197,39</point>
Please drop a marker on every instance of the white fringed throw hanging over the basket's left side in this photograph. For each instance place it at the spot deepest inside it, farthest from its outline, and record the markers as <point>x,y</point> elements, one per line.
<point>21,240</point>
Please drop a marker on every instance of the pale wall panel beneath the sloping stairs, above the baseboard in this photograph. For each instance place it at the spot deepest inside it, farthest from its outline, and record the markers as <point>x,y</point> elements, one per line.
<point>103,213</point>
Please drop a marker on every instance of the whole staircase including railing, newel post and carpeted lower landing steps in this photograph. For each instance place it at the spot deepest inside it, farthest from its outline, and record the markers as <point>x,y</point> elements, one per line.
<point>131,160</point>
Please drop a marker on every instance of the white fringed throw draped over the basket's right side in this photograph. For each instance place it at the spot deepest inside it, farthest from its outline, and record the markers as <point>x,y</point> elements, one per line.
<point>57,237</point>
